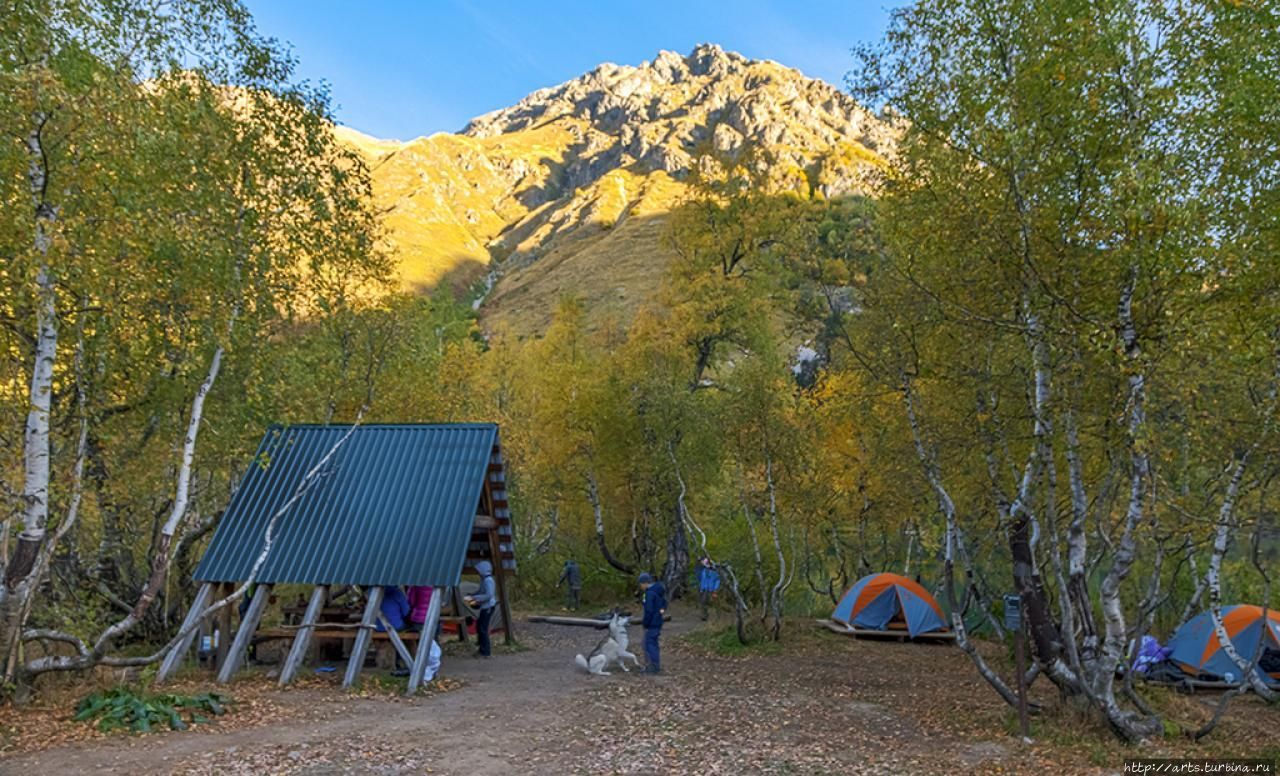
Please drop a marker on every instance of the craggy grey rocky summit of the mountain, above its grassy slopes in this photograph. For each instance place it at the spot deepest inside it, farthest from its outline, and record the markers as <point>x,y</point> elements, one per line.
<point>666,113</point>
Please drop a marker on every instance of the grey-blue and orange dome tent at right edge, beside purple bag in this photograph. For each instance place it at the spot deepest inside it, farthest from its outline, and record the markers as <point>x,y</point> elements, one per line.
<point>1197,650</point>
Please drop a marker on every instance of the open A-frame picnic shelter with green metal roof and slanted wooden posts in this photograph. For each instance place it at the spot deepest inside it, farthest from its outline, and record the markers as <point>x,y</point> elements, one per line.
<point>396,505</point>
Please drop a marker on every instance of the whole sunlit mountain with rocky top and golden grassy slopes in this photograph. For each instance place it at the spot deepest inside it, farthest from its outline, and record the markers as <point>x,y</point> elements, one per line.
<point>568,190</point>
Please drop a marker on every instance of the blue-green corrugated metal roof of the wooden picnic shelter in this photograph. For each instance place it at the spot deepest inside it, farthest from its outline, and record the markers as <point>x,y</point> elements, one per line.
<point>395,506</point>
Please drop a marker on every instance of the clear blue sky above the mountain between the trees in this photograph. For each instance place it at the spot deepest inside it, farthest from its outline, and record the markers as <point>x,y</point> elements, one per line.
<point>404,69</point>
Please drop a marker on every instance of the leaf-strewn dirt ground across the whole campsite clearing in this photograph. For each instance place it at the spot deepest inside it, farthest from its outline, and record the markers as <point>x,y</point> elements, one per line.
<point>820,704</point>
